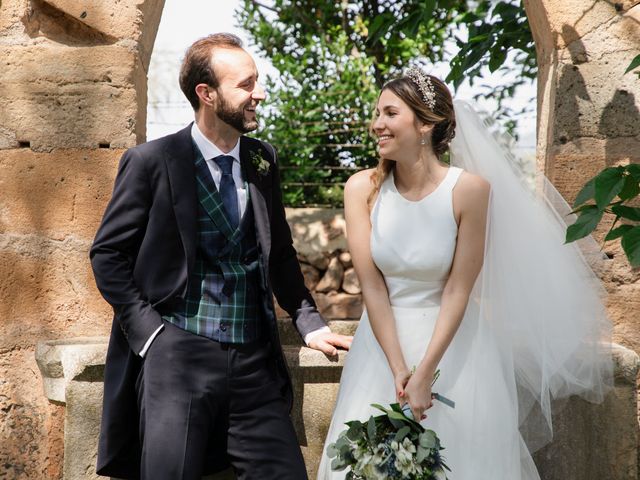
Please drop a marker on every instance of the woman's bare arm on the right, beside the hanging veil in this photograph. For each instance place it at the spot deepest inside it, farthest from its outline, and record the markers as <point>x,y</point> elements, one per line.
<point>470,199</point>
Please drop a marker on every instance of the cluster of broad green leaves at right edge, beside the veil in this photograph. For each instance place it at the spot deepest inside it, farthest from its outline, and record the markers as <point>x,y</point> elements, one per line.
<point>610,192</point>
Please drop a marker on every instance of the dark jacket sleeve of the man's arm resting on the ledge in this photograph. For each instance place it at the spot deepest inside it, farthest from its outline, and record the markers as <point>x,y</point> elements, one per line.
<point>286,278</point>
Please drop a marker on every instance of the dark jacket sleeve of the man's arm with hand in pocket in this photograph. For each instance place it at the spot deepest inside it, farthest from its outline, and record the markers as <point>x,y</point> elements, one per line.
<point>115,249</point>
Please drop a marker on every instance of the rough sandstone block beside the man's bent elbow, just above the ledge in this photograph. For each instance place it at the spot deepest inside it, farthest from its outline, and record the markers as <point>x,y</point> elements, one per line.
<point>48,290</point>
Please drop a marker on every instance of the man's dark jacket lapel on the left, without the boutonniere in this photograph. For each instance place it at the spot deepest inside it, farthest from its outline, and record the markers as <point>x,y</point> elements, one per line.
<point>179,158</point>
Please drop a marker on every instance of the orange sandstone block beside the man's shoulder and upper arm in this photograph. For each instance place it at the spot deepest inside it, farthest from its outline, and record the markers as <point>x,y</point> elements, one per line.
<point>59,194</point>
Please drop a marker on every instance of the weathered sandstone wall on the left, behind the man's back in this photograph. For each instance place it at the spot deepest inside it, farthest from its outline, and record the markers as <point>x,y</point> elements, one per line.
<point>72,96</point>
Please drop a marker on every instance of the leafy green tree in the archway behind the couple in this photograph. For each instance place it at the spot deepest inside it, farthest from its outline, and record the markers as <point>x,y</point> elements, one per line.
<point>333,57</point>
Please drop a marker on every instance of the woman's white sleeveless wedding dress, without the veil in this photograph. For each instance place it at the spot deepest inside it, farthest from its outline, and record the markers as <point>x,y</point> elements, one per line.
<point>413,244</point>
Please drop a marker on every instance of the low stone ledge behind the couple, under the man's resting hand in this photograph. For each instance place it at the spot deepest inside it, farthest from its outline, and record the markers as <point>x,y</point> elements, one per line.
<point>73,370</point>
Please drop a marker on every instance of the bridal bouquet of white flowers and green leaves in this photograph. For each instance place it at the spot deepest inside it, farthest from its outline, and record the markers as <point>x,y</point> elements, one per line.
<point>391,446</point>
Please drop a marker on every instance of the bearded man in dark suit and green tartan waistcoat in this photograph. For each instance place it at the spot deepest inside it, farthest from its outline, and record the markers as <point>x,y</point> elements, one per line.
<point>192,245</point>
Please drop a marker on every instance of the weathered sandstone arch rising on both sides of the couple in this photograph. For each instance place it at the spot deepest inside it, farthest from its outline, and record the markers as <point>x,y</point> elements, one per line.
<point>73,95</point>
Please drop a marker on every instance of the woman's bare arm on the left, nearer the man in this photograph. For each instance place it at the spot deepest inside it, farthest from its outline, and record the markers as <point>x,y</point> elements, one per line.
<point>374,289</point>
